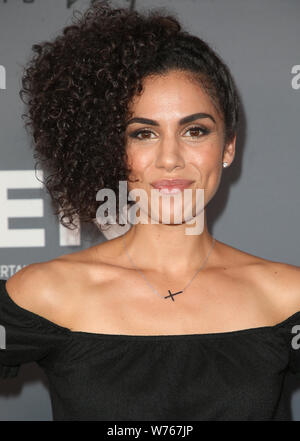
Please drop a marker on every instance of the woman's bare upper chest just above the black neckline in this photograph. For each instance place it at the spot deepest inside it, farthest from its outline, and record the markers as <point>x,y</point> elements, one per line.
<point>124,303</point>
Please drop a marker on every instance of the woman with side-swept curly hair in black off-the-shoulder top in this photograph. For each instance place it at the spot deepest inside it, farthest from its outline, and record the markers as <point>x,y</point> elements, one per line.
<point>159,323</point>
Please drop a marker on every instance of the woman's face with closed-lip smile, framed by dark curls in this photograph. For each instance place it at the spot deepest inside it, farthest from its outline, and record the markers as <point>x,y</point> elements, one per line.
<point>169,145</point>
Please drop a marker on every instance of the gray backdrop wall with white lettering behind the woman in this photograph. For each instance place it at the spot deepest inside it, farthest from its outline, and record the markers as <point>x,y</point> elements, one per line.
<point>257,206</point>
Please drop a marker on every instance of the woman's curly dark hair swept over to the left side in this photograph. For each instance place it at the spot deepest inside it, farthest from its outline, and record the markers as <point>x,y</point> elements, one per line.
<point>78,88</point>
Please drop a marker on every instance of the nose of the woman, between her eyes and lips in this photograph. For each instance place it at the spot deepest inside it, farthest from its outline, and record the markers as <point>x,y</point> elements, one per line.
<point>169,154</point>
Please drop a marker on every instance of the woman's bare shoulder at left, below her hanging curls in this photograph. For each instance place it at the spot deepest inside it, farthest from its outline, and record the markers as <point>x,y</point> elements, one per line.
<point>57,288</point>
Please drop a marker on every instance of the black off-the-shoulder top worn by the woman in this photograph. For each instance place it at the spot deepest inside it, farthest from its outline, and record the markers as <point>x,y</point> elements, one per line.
<point>235,375</point>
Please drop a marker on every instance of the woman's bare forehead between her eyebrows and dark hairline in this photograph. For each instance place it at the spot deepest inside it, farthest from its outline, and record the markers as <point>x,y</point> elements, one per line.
<point>174,94</point>
